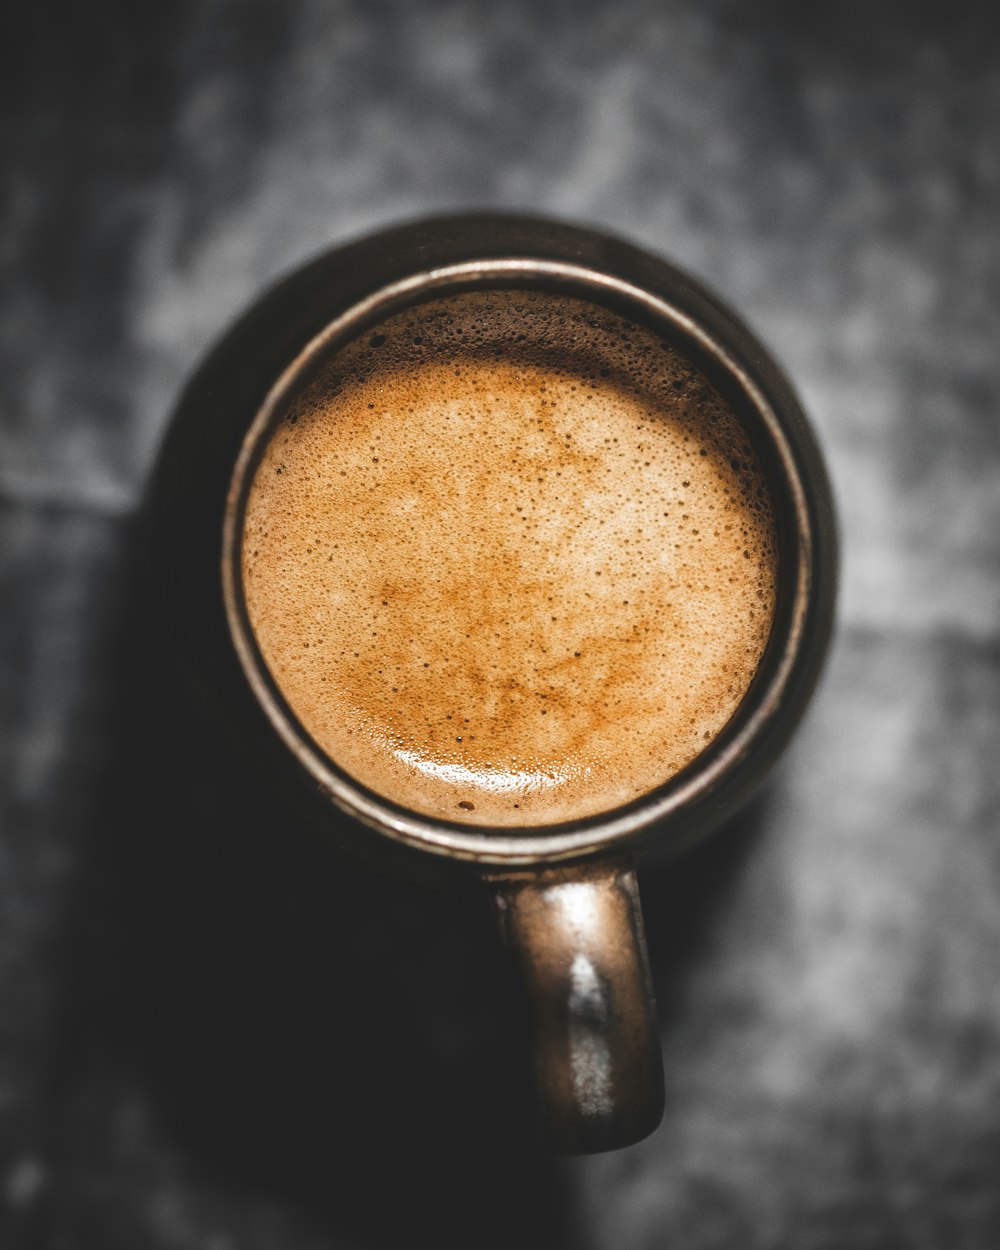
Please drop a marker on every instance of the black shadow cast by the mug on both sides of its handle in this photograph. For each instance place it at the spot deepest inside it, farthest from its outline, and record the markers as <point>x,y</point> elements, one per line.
<point>317,1031</point>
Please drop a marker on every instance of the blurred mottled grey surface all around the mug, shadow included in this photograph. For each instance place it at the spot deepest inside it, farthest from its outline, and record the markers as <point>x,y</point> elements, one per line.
<point>207,1044</point>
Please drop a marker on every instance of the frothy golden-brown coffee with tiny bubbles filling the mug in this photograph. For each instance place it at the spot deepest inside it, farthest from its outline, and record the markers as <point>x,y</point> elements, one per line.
<point>511,559</point>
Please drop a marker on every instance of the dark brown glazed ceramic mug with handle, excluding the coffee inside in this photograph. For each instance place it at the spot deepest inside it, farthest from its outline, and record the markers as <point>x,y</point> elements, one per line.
<point>566,896</point>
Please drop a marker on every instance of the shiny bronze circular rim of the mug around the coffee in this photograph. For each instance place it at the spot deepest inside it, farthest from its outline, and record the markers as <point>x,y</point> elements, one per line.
<point>454,837</point>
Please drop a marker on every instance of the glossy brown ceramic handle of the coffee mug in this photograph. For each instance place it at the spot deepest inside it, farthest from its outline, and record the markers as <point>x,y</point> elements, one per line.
<point>578,936</point>
